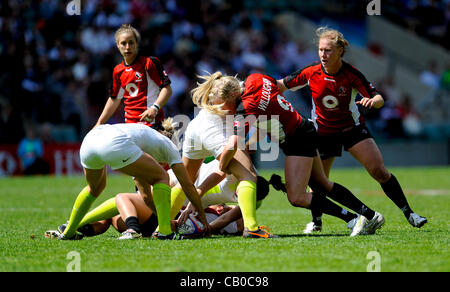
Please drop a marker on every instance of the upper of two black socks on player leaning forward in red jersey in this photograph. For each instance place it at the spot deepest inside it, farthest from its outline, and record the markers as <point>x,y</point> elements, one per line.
<point>343,196</point>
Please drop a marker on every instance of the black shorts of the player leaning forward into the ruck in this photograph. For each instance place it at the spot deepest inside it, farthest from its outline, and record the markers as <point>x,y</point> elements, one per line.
<point>303,142</point>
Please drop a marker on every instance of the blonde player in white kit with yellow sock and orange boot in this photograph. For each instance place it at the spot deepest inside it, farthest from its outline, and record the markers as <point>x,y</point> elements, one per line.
<point>206,135</point>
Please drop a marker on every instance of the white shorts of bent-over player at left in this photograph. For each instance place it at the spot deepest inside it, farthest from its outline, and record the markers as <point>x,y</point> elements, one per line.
<point>108,145</point>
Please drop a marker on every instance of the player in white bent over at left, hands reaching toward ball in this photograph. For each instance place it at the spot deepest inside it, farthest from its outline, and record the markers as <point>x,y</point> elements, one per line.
<point>136,150</point>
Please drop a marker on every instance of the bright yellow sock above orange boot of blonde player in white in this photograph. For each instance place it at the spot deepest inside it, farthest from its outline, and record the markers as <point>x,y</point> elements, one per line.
<point>246,192</point>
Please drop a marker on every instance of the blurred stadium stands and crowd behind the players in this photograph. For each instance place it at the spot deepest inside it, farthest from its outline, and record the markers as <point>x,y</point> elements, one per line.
<point>56,68</point>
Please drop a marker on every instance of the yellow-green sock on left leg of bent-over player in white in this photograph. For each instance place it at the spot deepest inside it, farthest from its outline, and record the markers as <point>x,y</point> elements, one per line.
<point>82,204</point>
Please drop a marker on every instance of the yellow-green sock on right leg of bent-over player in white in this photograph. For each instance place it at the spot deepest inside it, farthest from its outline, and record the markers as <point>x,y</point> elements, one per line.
<point>161,198</point>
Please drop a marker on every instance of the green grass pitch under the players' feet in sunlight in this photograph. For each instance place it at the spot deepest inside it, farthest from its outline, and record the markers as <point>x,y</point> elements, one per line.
<point>31,205</point>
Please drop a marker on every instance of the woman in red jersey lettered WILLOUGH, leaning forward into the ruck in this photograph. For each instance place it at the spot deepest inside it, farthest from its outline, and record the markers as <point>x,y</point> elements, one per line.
<point>260,98</point>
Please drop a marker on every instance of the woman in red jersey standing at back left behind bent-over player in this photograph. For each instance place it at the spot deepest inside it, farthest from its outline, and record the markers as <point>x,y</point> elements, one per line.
<point>140,81</point>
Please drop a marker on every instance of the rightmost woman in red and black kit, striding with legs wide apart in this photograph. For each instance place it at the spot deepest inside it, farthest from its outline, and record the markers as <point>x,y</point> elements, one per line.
<point>334,86</point>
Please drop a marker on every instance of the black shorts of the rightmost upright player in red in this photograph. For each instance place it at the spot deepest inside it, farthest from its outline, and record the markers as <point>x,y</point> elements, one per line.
<point>331,145</point>
